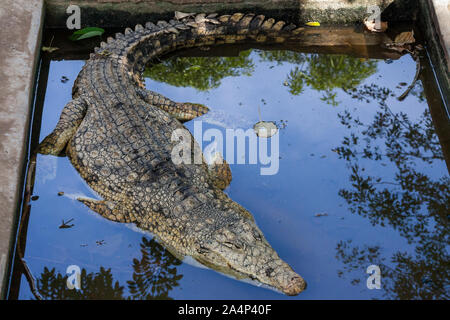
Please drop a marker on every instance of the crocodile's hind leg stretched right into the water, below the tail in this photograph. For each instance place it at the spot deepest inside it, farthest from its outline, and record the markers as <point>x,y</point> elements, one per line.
<point>183,111</point>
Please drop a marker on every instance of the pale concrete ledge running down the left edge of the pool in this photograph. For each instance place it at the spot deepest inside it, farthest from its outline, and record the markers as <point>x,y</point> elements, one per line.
<point>20,32</point>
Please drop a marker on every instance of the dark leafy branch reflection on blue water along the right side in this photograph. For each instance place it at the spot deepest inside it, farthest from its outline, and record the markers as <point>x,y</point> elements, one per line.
<point>412,203</point>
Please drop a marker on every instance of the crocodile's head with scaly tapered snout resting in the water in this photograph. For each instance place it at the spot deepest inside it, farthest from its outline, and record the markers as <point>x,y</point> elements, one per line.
<point>240,250</point>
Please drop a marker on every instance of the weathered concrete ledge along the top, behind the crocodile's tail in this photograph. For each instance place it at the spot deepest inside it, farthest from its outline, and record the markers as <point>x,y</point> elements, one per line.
<point>125,13</point>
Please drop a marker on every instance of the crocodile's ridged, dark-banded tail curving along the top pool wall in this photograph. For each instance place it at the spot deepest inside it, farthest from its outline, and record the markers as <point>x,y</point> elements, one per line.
<point>135,48</point>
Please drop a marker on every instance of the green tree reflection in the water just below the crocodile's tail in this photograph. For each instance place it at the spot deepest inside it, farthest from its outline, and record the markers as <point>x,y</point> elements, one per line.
<point>321,72</point>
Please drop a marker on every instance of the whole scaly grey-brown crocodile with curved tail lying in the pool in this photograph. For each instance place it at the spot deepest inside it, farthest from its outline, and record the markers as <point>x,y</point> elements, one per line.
<point>118,136</point>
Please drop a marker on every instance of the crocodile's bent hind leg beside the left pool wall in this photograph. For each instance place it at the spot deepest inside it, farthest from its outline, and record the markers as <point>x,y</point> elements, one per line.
<point>71,117</point>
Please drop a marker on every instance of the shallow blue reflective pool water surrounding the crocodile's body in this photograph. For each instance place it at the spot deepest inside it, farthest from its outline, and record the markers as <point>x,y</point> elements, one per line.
<point>361,182</point>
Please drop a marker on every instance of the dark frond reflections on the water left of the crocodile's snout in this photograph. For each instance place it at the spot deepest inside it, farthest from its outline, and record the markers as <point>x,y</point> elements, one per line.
<point>154,276</point>
